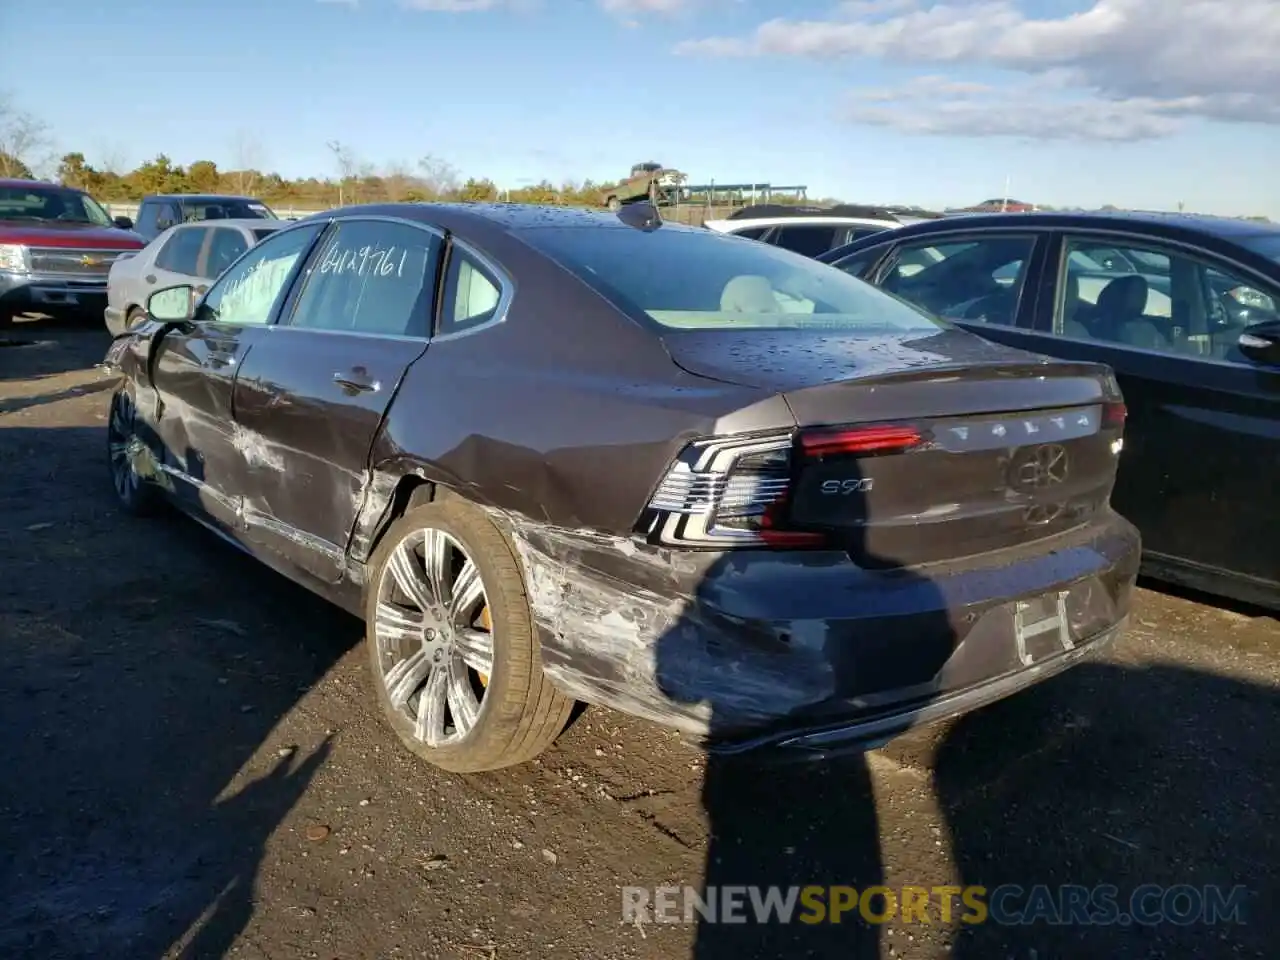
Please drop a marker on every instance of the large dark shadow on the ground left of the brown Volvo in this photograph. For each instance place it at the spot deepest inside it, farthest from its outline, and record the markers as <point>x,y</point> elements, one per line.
<point>144,670</point>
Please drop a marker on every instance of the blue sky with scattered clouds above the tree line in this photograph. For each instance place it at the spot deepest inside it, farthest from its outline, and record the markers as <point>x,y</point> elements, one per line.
<point>1136,103</point>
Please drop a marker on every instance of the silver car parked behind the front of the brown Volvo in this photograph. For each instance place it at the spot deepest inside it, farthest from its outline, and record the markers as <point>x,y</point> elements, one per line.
<point>191,253</point>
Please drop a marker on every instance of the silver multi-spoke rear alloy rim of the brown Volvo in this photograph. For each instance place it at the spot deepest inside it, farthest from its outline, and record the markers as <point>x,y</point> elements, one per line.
<point>433,637</point>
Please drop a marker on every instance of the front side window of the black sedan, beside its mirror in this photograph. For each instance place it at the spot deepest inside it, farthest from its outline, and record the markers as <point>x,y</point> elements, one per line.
<point>1162,300</point>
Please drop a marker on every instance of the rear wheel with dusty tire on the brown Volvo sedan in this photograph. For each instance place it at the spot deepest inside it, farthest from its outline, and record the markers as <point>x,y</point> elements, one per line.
<point>426,655</point>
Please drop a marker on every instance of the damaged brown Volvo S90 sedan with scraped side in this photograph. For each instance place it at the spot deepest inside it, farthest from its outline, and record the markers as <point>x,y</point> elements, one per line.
<point>556,456</point>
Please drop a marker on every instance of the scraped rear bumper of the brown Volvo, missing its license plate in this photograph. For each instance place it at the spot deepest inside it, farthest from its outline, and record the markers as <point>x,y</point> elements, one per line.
<point>808,651</point>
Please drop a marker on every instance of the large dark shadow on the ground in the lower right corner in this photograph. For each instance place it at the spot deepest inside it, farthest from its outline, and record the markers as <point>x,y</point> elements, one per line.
<point>1150,788</point>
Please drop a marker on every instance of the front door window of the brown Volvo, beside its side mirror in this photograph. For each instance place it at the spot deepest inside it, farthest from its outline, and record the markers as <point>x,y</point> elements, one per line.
<point>250,291</point>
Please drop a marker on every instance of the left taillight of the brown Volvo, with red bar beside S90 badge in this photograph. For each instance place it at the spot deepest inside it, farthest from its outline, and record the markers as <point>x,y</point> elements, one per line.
<point>737,492</point>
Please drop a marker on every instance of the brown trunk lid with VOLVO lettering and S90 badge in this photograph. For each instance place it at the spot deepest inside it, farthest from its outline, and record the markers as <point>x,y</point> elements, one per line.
<point>929,449</point>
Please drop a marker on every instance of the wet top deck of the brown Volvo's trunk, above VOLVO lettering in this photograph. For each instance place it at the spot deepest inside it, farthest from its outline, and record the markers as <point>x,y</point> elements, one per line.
<point>830,377</point>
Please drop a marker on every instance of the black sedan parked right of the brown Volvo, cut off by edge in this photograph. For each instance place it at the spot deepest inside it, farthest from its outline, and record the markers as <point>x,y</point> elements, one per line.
<point>1187,313</point>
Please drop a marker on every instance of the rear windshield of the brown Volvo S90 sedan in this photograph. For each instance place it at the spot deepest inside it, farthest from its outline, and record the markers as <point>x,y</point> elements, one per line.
<point>702,280</point>
